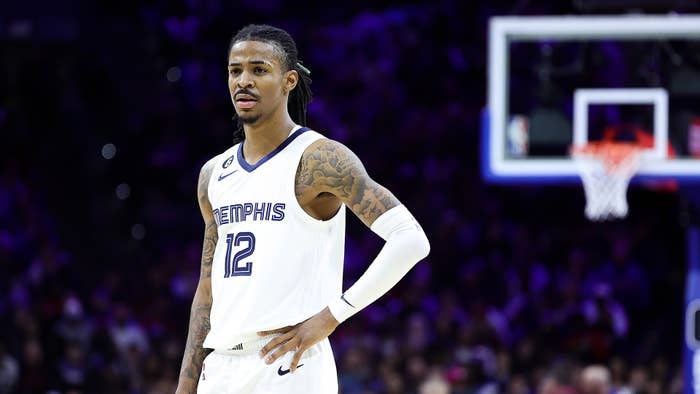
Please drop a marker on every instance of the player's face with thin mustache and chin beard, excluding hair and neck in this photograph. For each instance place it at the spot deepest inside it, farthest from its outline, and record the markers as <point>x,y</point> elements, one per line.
<point>256,81</point>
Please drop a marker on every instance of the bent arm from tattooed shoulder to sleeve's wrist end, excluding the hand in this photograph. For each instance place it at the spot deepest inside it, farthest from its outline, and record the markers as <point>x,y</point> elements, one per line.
<point>330,167</point>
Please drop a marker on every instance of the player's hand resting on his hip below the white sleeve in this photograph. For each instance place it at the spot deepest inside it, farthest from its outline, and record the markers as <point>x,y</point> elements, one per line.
<point>298,338</point>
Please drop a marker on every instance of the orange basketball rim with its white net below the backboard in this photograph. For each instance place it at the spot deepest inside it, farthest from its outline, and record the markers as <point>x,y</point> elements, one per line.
<point>606,168</point>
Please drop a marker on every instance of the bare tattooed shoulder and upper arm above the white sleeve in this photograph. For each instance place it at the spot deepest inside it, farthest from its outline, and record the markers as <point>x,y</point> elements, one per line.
<point>332,167</point>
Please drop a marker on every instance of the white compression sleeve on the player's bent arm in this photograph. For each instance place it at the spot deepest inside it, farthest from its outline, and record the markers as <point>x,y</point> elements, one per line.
<point>406,244</point>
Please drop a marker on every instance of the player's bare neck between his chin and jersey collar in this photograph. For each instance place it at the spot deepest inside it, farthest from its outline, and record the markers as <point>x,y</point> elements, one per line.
<point>263,137</point>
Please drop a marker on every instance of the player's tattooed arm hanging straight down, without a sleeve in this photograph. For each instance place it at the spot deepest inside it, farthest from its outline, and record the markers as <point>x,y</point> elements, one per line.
<point>201,305</point>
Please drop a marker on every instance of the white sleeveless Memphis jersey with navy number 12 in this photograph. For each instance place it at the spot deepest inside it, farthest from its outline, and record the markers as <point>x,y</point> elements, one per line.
<point>274,265</point>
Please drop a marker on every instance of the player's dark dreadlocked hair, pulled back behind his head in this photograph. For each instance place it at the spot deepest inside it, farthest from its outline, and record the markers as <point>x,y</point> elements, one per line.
<point>301,95</point>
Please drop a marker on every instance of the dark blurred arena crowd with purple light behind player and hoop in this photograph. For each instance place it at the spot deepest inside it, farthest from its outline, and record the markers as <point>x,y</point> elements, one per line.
<point>109,109</point>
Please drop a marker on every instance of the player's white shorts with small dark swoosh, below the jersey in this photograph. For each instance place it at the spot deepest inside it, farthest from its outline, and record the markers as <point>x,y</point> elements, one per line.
<point>244,372</point>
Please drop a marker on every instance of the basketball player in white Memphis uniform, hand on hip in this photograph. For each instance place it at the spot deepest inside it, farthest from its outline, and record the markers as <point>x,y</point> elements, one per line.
<point>270,291</point>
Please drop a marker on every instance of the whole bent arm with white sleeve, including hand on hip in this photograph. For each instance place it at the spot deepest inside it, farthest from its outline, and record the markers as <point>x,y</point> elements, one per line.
<point>329,168</point>
